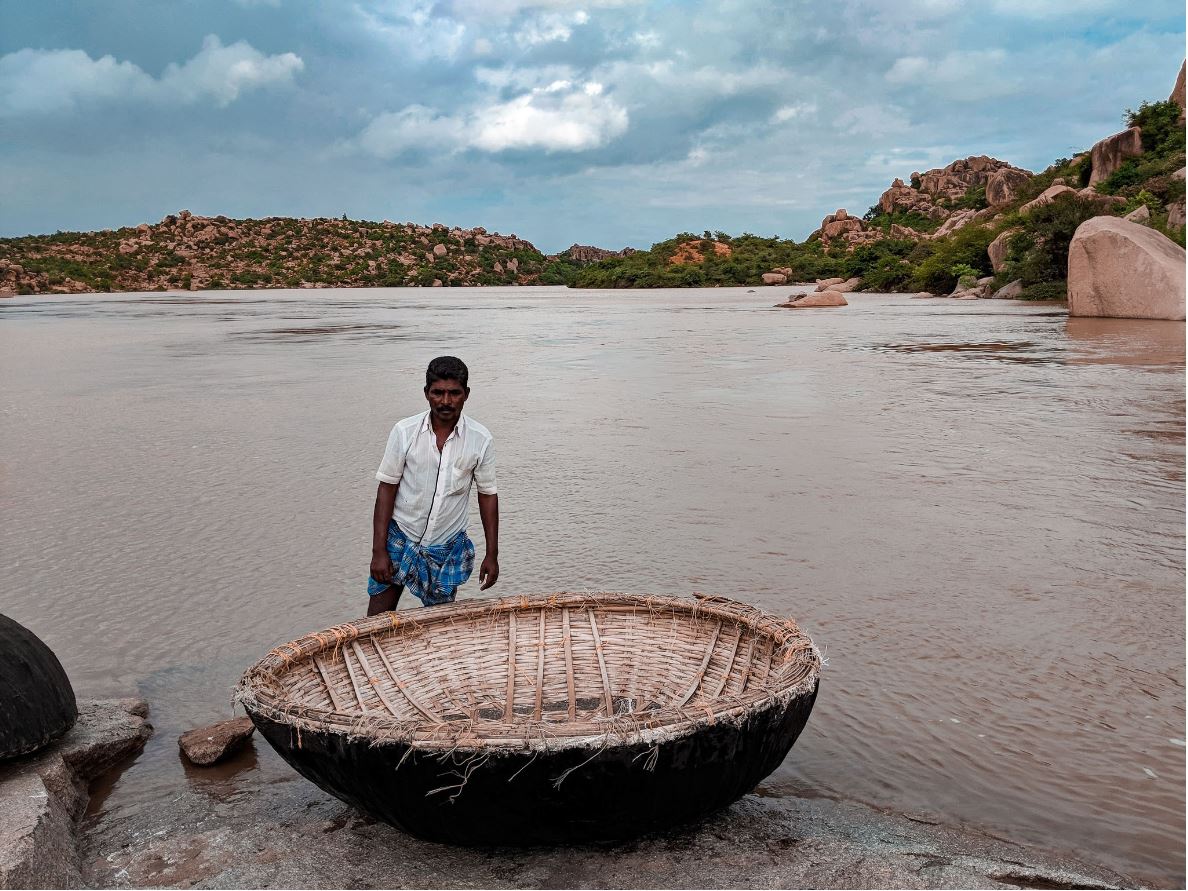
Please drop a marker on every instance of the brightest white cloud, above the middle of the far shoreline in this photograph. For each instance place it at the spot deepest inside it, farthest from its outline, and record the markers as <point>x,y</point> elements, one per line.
<point>561,117</point>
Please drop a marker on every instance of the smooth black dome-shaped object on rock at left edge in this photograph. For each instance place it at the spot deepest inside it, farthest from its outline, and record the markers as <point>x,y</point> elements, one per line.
<point>37,703</point>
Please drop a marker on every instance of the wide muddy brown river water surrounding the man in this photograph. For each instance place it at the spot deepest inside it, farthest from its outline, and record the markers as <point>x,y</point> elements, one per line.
<point>976,509</point>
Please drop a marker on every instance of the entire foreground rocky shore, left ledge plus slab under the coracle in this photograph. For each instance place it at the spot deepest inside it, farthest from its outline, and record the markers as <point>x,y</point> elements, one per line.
<point>214,833</point>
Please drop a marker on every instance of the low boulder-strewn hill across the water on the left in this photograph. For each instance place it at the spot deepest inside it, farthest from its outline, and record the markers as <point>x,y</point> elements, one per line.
<point>188,252</point>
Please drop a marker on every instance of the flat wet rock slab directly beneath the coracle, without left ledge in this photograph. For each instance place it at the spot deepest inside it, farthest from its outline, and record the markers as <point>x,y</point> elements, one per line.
<point>213,832</point>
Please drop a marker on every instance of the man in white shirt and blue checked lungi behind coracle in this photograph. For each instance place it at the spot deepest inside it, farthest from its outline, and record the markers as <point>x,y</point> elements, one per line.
<point>419,528</point>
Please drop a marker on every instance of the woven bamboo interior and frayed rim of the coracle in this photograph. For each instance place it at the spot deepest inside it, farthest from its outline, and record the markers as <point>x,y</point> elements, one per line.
<point>536,669</point>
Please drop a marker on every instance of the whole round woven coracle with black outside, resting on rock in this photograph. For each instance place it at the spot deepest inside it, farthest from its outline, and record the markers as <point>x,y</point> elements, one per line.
<point>560,718</point>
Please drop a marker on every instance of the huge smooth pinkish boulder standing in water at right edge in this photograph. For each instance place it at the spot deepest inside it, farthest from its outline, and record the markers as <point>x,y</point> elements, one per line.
<point>1122,270</point>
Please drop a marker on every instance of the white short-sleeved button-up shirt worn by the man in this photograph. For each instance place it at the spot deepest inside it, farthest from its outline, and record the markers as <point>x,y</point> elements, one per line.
<point>435,488</point>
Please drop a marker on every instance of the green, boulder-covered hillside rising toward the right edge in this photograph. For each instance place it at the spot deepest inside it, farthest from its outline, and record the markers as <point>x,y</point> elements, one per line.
<point>977,228</point>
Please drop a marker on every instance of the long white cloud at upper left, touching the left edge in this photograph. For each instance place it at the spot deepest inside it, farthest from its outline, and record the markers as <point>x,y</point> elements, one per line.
<point>46,81</point>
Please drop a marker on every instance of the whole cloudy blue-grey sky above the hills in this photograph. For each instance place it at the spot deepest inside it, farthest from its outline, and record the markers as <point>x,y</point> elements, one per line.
<point>609,123</point>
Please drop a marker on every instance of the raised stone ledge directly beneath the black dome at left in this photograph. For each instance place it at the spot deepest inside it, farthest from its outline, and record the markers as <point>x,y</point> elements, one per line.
<point>43,795</point>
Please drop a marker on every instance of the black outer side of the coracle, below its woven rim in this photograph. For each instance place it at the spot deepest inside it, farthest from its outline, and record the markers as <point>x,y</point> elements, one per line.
<point>514,799</point>
